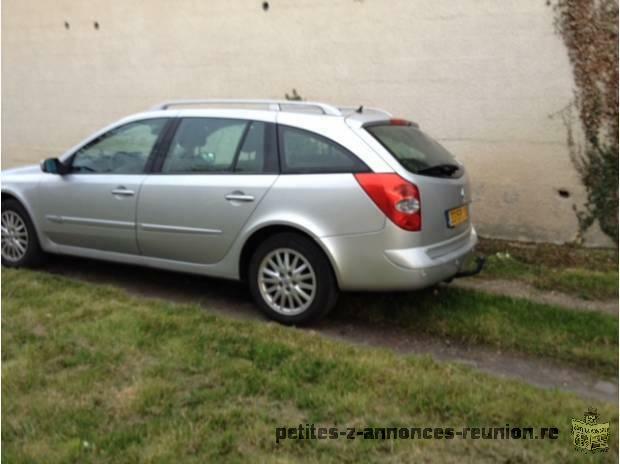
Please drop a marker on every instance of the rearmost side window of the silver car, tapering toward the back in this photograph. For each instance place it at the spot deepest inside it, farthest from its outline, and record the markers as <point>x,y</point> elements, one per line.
<point>302,151</point>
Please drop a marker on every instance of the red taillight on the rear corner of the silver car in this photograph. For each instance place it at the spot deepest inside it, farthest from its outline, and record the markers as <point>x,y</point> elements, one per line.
<point>397,198</point>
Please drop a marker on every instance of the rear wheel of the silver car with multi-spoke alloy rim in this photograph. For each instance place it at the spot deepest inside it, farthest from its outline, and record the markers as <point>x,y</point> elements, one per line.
<point>291,279</point>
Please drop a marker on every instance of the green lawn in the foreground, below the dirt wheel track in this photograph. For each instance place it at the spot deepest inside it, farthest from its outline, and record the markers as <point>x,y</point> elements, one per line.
<point>90,374</point>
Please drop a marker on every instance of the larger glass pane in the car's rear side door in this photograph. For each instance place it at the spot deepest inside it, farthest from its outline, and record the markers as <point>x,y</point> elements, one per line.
<point>205,145</point>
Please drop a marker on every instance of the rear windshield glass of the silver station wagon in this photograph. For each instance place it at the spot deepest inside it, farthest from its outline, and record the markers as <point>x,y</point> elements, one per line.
<point>416,151</point>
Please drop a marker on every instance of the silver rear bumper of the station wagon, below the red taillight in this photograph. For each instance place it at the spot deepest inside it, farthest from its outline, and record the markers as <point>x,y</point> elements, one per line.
<point>362,263</point>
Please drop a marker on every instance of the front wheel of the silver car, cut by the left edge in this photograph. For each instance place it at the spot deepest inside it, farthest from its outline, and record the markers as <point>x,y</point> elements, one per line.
<point>20,243</point>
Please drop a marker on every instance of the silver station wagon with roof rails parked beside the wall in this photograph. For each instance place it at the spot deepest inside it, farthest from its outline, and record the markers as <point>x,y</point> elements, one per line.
<point>299,199</point>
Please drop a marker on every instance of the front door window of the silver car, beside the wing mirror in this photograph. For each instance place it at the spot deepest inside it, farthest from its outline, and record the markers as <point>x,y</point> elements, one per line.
<point>122,150</point>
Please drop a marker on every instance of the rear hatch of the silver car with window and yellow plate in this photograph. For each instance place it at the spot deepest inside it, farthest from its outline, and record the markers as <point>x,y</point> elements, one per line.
<point>441,181</point>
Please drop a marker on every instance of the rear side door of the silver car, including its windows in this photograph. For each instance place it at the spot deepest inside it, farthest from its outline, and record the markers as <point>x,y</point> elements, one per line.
<point>215,172</point>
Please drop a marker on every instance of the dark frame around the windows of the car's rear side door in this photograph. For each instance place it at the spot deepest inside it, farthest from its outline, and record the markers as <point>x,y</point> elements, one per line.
<point>160,158</point>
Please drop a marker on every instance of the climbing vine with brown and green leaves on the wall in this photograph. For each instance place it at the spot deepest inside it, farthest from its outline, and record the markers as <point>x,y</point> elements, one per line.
<point>589,29</point>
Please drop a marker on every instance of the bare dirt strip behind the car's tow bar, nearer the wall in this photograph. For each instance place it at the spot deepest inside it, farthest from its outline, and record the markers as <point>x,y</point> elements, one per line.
<point>517,289</point>
